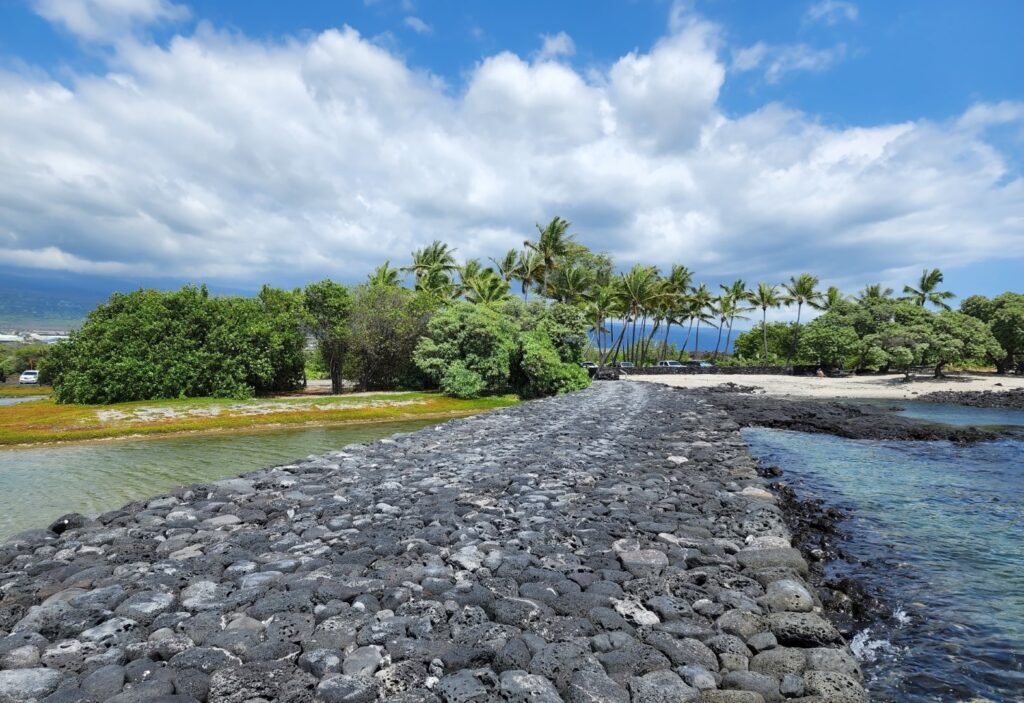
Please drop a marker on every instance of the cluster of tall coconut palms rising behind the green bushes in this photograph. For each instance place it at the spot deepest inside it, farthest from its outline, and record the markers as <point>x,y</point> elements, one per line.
<point>644,304</point>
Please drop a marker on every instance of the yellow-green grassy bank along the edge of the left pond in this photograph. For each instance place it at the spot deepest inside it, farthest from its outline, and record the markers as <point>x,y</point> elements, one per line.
<point>44,422</point>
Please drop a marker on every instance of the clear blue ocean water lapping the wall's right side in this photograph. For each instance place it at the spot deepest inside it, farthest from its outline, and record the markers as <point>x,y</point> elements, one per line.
<point>937,532</point>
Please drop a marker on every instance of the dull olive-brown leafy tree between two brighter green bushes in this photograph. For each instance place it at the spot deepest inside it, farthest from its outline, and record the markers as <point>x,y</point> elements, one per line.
<point>385,325</point>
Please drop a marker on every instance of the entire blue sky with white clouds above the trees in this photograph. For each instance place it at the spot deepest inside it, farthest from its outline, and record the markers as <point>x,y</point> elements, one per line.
<point>150,142</point>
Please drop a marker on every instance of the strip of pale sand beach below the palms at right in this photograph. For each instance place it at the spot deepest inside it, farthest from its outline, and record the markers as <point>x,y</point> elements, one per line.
<point>889,387</point>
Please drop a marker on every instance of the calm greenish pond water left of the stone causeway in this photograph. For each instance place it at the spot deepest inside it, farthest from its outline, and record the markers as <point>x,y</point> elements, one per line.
<point>40,485</point>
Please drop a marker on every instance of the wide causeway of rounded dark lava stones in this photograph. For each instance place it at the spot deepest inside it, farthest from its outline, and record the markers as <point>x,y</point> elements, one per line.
<point>615,545</point>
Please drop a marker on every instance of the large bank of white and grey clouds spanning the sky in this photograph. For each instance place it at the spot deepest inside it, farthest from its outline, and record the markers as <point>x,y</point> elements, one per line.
<point>238,160</point>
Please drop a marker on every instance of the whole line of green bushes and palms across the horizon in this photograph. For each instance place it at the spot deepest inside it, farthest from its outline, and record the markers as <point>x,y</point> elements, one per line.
<point>522,323</point>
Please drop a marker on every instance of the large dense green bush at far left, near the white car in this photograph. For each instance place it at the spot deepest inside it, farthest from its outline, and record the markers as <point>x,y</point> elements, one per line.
<point>152,344</point>
